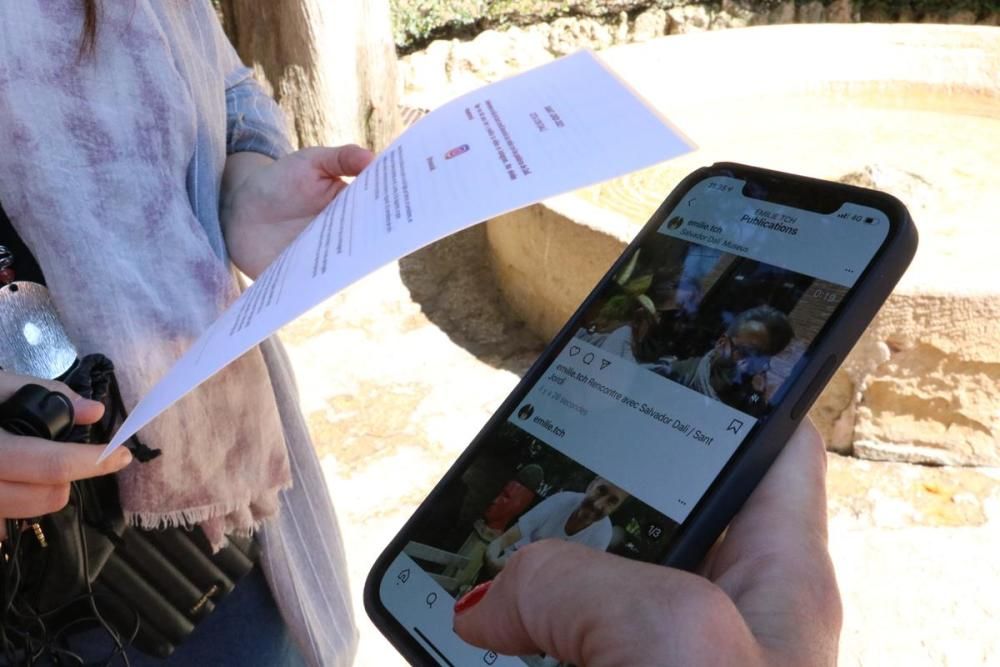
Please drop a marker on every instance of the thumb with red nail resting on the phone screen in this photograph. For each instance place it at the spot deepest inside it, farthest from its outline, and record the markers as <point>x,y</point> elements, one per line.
<point>579,605</point>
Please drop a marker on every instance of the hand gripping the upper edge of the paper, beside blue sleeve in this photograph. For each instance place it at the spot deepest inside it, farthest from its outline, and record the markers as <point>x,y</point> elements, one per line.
<point>266,203</point>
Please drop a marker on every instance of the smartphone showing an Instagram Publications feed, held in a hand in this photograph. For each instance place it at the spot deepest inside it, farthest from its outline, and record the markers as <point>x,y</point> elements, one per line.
<point>649,419</point>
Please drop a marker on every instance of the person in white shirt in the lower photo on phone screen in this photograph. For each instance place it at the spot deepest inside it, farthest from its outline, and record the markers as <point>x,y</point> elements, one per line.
<point>568,515</point>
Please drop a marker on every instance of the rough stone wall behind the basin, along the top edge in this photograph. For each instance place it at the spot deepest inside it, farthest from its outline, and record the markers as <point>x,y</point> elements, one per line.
<point>462,56</point>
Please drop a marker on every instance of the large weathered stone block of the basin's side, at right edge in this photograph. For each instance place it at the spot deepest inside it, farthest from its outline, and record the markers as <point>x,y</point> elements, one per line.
<point>935,398</point>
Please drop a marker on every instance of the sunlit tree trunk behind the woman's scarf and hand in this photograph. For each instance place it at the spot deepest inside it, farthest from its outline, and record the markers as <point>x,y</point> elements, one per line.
<point>330,64</point>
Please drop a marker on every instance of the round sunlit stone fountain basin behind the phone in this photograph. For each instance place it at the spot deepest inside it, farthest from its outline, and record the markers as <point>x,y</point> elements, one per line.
<point>910,109</point>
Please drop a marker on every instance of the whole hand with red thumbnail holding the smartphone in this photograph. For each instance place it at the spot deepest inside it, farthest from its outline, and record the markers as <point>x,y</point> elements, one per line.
<point>768,596</point>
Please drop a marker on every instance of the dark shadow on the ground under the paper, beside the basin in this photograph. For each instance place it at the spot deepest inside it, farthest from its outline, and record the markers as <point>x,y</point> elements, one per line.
<point>454,284</point>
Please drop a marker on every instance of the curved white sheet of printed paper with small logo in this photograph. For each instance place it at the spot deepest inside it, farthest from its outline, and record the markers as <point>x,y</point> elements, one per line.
<point>562,126</point>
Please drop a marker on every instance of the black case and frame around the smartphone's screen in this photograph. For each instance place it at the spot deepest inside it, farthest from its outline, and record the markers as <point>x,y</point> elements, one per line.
<point>738,478</point>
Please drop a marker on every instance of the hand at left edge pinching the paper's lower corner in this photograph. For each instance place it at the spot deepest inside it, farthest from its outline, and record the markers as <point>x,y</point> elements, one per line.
<point>35,474</point>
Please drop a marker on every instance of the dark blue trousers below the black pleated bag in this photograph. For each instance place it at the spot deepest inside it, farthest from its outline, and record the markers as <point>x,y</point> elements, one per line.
<point>245,629</point>
